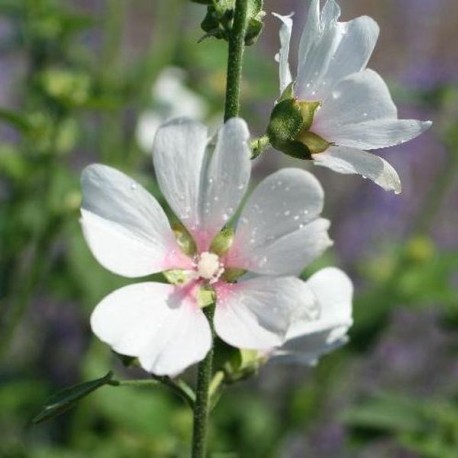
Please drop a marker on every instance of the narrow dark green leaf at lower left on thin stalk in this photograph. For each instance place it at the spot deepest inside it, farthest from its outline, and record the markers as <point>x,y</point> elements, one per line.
<point>68,398</point>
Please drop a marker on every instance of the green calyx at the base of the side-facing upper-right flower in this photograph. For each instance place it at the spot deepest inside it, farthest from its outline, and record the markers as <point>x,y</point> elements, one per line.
<point>289,127</point>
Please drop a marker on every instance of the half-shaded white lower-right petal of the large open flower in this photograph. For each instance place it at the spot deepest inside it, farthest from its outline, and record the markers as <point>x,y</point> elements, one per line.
<point>256,313</point>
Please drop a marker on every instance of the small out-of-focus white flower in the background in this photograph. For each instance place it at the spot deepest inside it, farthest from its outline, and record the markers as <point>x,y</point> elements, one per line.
<point>171,98</point>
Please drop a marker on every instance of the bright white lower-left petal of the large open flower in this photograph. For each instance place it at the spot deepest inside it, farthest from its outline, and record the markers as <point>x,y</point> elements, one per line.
<point>157,323</point>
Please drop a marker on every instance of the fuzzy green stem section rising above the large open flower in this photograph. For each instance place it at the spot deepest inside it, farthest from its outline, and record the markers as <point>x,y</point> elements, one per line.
<point>235,60</point>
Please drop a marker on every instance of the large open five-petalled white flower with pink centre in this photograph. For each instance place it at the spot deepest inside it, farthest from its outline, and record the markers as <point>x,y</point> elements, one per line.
<point>279,231</point>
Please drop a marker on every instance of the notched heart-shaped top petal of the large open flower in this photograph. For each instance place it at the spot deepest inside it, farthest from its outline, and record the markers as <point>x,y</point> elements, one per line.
<point>203,188</point>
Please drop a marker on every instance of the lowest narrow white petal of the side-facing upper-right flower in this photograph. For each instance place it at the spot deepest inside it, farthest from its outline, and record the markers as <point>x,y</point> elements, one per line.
<point>354,161</point>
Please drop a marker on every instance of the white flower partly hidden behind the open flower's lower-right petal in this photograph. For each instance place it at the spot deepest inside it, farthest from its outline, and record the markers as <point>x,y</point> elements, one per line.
<point>307,341</point>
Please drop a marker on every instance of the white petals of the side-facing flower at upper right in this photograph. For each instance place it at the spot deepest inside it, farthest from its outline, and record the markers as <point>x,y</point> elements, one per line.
<point>356,112</point>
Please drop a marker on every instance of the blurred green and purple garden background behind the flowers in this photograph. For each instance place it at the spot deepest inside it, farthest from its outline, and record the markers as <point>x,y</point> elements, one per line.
<point>83,81</point>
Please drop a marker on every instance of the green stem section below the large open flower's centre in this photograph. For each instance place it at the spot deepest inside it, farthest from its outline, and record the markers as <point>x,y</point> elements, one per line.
<point>202,404</point>
